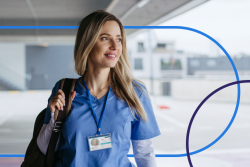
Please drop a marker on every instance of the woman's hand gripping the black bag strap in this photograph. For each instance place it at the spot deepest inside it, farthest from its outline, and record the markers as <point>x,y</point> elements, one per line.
<point>57,102</point>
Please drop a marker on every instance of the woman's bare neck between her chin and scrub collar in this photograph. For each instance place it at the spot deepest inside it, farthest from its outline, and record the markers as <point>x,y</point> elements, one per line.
<point>96,79</point>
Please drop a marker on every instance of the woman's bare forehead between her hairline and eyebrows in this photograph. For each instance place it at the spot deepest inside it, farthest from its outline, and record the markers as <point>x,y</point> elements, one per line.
<point>111,27</point>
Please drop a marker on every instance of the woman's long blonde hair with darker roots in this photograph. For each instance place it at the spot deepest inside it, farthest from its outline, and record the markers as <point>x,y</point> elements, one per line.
<point>122,79</point>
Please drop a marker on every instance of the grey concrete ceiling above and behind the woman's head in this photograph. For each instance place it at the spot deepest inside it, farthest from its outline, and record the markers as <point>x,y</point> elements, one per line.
<point>70,13</point>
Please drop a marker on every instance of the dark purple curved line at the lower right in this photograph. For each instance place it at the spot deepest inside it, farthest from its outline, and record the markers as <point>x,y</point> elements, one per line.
<point>197,109</point>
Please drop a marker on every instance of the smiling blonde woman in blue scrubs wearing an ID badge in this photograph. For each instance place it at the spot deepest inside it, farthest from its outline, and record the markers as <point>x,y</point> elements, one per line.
<point>106,91</point>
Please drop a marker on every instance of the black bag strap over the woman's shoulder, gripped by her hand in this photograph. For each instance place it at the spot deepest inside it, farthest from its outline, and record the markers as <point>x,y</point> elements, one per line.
<point>67,85</point>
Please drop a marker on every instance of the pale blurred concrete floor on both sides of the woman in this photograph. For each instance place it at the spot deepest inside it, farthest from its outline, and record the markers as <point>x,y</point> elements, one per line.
<point>19,110</point>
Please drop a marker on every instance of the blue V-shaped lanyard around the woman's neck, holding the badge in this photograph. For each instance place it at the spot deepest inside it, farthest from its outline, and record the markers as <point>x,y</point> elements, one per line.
<point>93,111</point>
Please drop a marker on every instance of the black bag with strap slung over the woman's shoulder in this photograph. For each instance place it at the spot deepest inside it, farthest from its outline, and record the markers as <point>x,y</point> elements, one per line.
<point>33,156</point>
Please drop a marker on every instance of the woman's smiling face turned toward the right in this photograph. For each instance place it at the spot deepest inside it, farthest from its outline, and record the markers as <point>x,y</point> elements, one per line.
<point>108,47</point>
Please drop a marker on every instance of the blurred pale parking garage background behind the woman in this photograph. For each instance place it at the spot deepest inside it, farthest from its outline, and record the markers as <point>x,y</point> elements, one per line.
<point>179,68</point>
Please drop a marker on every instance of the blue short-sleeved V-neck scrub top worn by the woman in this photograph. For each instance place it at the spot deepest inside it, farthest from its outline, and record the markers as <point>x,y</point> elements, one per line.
<point>117,120</point>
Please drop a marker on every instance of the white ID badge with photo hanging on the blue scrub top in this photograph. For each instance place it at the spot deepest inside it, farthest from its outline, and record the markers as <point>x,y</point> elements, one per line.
<point>99,142</point>
